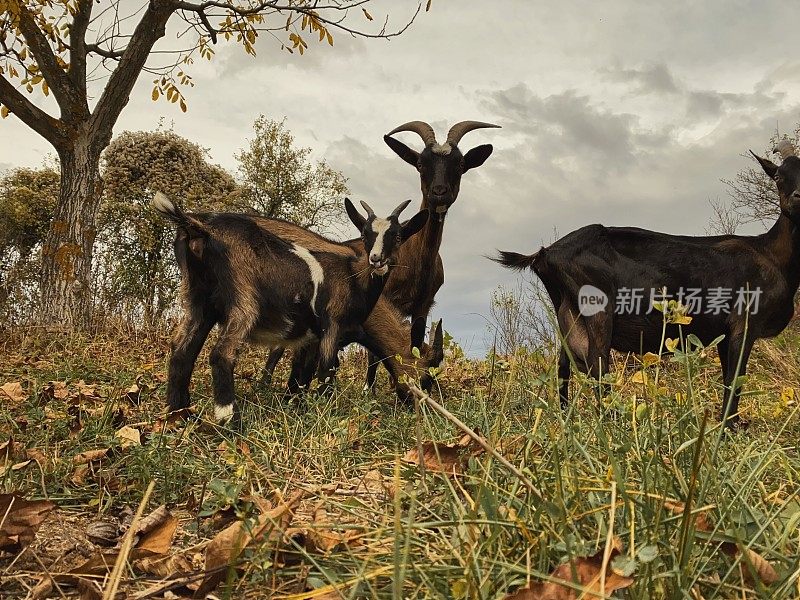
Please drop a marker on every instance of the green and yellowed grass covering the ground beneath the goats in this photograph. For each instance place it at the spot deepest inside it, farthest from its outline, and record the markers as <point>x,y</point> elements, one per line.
<point>652,445</point>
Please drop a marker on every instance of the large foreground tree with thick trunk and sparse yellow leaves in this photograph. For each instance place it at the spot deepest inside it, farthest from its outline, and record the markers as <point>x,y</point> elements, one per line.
<point>57,46</point>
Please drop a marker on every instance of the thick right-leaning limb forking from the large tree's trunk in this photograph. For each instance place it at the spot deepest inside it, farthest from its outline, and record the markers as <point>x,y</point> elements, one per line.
<point>115,96</point>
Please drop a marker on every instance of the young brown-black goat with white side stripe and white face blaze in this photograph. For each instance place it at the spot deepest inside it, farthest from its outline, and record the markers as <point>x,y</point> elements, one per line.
<point>264,289</point>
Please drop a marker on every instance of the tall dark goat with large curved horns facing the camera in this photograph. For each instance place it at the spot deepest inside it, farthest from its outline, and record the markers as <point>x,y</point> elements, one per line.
<point>413,285</point>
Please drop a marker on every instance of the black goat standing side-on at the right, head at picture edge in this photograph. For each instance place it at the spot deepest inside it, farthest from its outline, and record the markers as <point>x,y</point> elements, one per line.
<point>759,275</point>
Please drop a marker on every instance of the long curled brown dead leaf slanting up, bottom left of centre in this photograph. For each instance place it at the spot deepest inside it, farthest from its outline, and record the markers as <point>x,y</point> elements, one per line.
<point>226,546</point>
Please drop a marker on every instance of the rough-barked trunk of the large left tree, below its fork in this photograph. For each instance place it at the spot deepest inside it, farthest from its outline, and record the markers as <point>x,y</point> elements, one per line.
<point>67,250</point>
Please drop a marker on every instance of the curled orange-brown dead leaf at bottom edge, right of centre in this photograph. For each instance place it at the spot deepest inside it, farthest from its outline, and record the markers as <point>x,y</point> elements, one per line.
<point>584,572</point>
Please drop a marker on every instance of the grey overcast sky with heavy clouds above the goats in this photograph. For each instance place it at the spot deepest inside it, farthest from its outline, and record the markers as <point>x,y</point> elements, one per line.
<point>616,112</point>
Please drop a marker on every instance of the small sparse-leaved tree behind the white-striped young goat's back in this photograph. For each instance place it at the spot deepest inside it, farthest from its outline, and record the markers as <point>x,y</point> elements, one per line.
<point>280,181</point>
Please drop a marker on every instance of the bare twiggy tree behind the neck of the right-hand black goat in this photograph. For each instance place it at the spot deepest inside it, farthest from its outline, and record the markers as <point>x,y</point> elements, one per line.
<point>753,197</point>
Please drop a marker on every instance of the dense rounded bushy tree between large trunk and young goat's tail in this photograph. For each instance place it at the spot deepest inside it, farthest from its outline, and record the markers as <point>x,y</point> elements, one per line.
<point>137,260</point>
